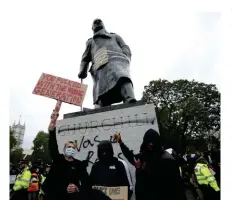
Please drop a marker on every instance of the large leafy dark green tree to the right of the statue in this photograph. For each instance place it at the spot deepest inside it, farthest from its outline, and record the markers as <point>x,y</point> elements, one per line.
<point>186,110</point>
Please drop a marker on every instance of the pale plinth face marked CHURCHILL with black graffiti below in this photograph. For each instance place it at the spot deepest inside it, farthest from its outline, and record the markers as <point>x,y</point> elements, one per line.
<point>88,130</point>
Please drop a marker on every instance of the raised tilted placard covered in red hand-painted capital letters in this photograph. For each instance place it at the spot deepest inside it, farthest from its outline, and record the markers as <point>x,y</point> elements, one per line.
<point>61,89</point>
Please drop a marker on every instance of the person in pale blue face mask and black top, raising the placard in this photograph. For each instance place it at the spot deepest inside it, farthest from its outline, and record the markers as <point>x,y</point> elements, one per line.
<point>68,176</point>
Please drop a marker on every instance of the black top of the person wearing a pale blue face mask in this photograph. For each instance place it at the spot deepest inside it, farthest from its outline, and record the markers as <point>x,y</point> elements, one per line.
<point>62,173</point>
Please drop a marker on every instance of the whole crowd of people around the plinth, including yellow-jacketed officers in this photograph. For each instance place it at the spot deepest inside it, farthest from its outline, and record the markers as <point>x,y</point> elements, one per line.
<point>160,174</point>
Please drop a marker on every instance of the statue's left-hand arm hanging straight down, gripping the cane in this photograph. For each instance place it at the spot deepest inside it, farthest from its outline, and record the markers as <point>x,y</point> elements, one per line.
<point>85,60</point>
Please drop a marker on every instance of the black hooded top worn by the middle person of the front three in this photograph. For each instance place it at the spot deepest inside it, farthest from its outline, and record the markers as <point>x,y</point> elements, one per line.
<point>111,173</point>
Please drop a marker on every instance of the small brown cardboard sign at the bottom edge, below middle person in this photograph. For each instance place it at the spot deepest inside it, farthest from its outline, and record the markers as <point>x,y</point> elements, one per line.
<point>115,193</point>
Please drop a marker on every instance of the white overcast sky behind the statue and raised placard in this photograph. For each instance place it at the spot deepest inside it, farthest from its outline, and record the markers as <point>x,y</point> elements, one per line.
<point>167,42</point>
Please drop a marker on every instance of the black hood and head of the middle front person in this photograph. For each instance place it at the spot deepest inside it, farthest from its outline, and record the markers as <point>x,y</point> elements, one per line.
<point>105,151</point>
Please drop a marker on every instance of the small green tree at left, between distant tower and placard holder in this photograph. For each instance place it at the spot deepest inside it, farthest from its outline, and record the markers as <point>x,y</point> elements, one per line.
<point>40,148</point>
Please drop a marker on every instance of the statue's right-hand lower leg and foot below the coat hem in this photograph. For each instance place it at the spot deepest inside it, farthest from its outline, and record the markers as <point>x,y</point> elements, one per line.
<point>127,93</point>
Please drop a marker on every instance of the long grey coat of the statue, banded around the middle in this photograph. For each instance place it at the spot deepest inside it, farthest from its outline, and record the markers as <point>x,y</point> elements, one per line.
<point>117,56</point>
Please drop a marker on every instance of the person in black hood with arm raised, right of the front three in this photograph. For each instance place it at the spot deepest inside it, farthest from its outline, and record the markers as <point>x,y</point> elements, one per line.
<point>157,173</point>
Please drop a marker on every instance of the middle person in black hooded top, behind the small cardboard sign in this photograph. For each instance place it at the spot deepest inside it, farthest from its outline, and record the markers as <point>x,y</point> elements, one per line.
<point>110,171</point>
